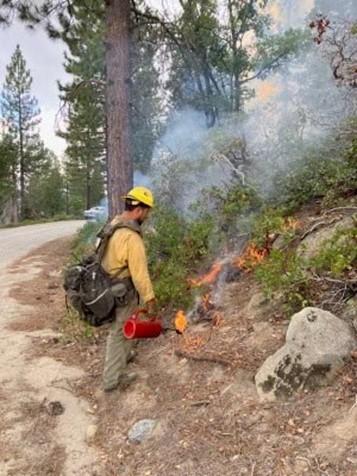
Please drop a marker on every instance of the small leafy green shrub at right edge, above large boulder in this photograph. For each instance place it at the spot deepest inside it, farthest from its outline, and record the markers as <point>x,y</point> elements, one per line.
<point>337,255</point>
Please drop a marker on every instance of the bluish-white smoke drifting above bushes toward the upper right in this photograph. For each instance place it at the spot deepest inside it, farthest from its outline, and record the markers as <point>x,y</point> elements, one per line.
<point>297,108</point>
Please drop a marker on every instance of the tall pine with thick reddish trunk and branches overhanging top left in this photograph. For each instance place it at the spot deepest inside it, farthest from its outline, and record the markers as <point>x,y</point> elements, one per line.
<point>58,18</point>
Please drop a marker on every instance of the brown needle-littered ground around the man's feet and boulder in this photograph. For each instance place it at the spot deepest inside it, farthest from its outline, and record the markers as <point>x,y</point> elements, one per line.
<point>199,388</point>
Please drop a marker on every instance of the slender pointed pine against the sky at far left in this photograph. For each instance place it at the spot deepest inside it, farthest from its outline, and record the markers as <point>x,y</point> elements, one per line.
<point>21,113</point>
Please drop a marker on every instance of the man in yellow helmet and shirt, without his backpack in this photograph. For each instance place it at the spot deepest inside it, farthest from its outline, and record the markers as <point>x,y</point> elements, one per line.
<point>125,258</point>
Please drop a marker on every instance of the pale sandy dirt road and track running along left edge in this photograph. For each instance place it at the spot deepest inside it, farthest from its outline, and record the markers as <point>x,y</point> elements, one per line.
<point>37,435</point>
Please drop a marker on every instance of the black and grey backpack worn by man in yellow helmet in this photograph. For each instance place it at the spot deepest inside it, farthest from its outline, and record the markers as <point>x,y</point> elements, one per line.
<point>89,288</point>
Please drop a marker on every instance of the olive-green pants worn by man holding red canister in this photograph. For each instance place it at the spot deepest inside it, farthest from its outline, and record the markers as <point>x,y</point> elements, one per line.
<point>118,347</point>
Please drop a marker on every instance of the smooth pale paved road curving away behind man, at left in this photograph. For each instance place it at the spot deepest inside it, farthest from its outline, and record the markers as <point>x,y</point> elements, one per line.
<point>17,242</point>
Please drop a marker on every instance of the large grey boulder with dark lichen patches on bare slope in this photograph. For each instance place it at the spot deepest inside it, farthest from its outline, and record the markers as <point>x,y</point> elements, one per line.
<point>317,345</point>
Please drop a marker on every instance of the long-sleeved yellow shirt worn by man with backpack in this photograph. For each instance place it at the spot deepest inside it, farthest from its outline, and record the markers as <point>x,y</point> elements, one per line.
<point>126,251</point>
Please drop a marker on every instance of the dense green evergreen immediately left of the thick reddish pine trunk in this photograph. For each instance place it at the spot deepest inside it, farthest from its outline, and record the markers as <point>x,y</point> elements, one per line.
<point>85,95</point>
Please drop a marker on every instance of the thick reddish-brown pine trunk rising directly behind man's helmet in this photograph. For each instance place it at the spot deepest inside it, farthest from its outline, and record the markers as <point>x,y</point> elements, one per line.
<point>119,160</point>
